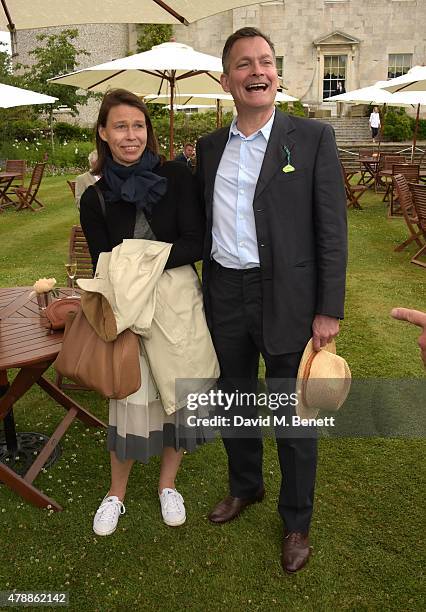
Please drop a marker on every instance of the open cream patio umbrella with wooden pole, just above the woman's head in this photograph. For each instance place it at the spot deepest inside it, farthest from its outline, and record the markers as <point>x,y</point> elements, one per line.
<point>161,69</point>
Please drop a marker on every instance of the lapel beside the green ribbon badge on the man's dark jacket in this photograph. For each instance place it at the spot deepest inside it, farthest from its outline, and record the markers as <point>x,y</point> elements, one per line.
<point>275,157</point>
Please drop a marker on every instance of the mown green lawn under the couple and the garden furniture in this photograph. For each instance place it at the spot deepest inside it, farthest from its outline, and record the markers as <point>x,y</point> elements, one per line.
<point>368,523</point>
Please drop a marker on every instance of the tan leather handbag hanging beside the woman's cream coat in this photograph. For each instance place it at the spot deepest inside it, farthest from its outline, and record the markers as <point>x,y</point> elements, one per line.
<point>110,368</point>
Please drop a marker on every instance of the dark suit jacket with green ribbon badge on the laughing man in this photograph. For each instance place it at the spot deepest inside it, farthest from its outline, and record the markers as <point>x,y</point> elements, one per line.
<point>301,228</point>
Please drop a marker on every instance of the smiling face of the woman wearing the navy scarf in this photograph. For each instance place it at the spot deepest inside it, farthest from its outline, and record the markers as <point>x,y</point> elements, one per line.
<point>125,132</point>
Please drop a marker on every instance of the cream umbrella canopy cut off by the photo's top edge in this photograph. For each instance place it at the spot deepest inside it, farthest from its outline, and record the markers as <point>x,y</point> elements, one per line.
<point>26,15</point>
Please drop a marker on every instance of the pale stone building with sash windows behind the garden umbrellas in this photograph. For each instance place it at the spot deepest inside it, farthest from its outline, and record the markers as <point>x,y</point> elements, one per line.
<point>323,47</point>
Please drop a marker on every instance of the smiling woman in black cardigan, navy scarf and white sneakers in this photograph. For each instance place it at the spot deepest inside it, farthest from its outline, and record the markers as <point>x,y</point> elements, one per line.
<point>143,198</point>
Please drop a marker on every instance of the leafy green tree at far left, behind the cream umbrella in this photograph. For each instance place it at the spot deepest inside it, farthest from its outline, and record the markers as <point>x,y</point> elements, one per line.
<point>57,55</point>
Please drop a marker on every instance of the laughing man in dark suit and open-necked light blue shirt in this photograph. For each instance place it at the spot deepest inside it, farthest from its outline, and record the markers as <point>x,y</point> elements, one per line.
<point>274,267</point>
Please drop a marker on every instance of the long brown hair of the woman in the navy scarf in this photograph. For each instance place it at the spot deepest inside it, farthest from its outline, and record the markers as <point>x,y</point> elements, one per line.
<point>113,98</point>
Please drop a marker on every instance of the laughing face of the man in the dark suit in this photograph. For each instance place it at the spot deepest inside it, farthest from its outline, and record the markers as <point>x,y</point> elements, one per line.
<point>252,75</point>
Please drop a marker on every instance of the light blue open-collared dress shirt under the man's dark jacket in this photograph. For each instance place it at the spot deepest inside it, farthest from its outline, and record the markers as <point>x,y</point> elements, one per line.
<point>234,241</point>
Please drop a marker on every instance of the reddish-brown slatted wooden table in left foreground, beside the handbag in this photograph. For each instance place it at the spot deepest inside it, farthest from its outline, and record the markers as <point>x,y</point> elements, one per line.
<point>27,344</point>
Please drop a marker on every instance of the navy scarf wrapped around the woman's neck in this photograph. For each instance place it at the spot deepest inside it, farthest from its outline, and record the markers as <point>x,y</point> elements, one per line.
<point>137,184</point>
